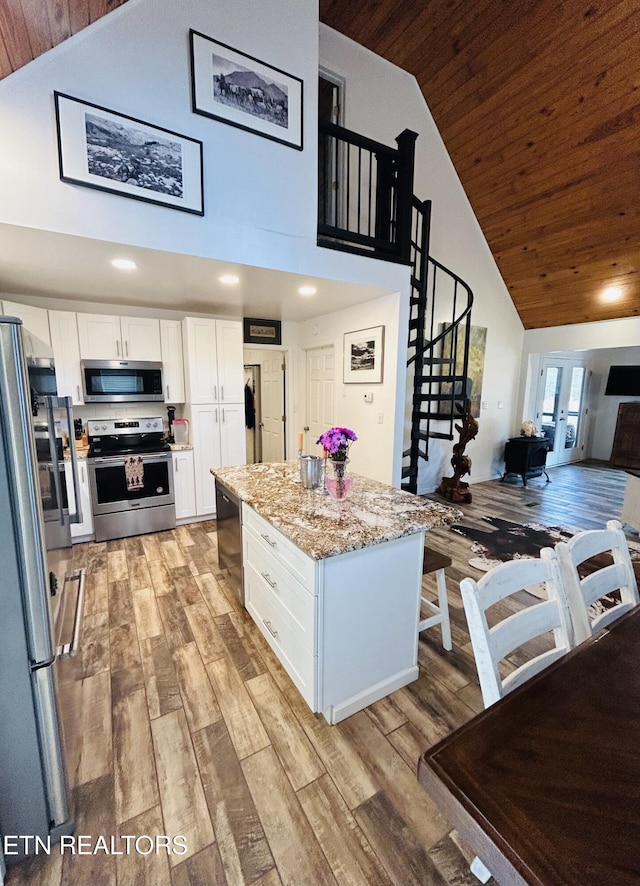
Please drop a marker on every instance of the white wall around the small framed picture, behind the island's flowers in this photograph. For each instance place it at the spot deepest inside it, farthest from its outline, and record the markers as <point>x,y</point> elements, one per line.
<point>374,452</point>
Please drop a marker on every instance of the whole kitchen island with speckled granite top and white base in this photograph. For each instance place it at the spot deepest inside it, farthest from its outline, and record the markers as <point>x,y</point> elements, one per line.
<point>333,586</point>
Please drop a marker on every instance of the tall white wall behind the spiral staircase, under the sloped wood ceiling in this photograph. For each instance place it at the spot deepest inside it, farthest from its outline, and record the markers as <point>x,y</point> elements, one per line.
<point>381,101</point>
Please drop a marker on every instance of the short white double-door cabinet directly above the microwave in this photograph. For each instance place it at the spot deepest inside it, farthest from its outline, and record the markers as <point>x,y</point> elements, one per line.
<point>105,337</point>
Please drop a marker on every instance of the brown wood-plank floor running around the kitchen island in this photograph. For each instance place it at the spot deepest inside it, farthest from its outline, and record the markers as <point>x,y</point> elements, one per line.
<point>184,723</point>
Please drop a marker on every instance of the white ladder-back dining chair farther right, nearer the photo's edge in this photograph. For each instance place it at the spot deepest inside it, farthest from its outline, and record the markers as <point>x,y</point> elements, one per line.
<point>583,593</point>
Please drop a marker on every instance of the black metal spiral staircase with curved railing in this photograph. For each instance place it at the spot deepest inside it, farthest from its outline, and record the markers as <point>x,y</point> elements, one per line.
<point>438,347</point>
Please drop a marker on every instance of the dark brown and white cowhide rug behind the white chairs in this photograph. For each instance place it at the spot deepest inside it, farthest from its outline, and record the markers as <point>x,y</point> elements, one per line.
<point>509,541</point>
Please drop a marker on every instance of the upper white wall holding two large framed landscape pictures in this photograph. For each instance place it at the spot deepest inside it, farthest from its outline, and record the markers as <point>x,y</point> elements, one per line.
<point>260,196</point>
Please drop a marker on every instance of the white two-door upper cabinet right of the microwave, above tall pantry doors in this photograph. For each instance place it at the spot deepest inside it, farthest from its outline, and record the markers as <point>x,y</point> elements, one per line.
<point>213,360</point>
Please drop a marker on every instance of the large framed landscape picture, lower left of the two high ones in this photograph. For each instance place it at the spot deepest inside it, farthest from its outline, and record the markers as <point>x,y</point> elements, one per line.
<point>101,149</point>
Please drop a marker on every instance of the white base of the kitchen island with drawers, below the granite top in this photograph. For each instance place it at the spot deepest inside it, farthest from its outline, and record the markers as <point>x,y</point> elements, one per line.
<point>344,628</point>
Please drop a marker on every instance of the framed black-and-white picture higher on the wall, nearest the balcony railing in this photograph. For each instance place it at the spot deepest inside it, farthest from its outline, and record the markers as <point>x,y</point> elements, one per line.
<point>235,88</point>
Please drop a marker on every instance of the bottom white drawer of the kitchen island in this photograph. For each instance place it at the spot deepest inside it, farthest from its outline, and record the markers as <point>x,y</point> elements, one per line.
<point>275,623</point>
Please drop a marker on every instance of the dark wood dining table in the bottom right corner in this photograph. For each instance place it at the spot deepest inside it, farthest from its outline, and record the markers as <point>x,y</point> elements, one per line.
<point>544,786</point>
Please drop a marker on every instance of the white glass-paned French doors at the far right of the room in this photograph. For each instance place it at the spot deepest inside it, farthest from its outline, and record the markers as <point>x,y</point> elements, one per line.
<point>561,408</point>
